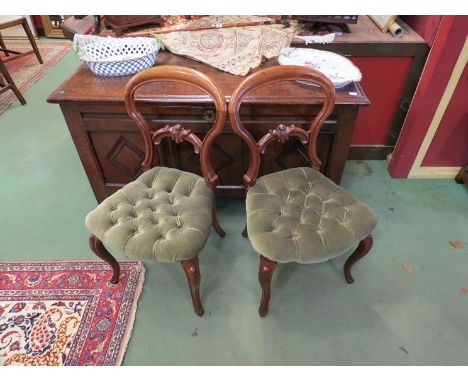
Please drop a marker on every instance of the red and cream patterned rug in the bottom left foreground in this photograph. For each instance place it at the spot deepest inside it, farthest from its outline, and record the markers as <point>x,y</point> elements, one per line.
<point>65,313</point>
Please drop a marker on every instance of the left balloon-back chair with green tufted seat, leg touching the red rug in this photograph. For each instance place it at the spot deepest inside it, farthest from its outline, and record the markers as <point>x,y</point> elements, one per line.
<point>165,214</point>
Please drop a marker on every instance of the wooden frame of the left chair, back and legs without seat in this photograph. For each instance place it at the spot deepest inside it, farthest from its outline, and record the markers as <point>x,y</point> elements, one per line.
<point>178,134</point>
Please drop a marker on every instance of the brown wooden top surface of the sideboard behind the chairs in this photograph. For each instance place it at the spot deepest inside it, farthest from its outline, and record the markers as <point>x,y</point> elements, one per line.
<point>85,87</point>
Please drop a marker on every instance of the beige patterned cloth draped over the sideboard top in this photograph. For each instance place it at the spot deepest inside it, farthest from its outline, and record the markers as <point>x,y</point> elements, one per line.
<point>233,50</point>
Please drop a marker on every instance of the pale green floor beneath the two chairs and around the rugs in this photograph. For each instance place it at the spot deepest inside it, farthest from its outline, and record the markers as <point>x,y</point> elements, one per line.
<point>387,317</point>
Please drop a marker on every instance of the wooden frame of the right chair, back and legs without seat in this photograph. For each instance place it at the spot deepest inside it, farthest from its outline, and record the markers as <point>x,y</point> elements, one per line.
<point>281,134</point>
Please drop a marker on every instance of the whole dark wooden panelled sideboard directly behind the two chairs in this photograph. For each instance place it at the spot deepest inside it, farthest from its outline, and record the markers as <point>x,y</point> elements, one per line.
<point>111,148</point>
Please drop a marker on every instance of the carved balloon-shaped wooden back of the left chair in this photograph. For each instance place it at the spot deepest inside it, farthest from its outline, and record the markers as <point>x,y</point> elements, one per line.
<point>177,133</point>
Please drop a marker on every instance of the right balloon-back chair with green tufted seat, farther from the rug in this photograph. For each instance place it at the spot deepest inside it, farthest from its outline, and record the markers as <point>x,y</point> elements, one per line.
<point>297,215</point>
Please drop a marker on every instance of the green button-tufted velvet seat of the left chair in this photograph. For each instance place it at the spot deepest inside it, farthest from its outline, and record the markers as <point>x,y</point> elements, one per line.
<point>164,215</point>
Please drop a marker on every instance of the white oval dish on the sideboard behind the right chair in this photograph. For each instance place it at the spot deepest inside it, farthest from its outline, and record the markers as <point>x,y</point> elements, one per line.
<point>339,69</point>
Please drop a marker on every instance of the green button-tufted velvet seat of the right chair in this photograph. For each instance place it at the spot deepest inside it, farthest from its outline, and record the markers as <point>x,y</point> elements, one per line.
<point>300,215</point>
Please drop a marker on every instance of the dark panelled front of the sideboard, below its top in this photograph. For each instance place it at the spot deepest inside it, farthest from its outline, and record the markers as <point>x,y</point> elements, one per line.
<point>119,148</point>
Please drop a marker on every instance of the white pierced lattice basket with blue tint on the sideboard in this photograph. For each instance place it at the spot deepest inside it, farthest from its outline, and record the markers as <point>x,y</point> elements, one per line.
<point>109,56</point>
